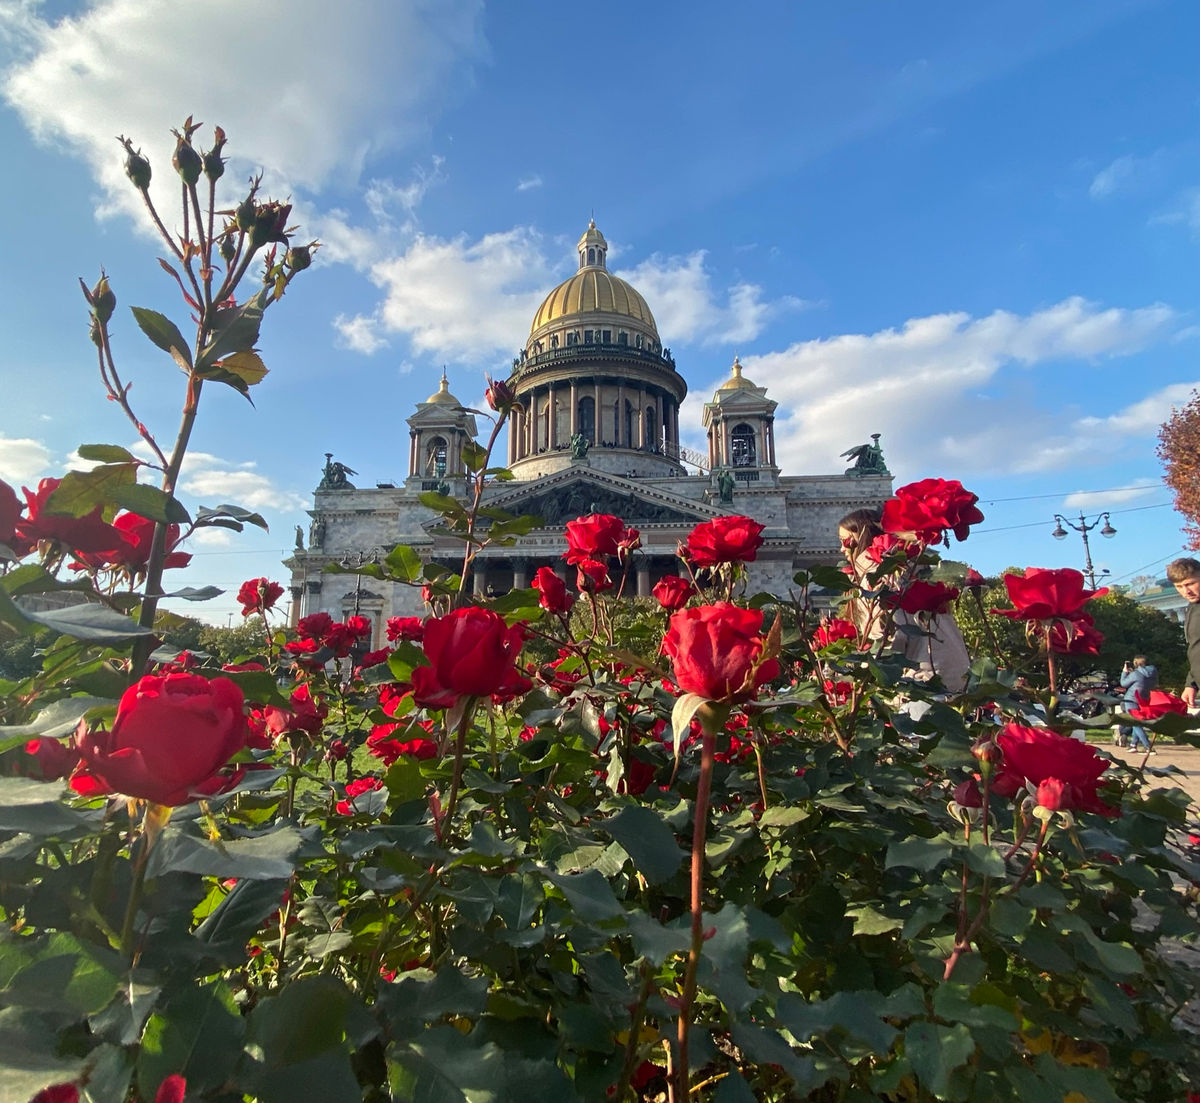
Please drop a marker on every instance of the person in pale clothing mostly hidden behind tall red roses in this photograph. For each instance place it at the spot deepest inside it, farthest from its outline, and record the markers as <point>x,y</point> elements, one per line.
<point>938,651</point>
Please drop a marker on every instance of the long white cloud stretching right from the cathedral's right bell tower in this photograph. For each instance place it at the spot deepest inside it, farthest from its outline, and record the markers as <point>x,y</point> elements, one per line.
<point>953,394</point>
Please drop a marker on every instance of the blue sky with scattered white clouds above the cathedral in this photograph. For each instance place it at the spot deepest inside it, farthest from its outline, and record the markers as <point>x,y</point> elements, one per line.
<point>971,229</point>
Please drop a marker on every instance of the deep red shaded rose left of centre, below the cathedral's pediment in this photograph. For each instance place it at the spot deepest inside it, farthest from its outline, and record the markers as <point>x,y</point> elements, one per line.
<point>472,651</point>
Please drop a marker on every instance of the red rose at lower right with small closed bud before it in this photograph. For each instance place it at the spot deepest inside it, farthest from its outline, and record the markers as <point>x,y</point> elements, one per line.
<point>1035,756</point>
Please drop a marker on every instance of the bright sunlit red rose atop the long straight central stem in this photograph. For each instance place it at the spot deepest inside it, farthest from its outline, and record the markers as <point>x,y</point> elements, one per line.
<point>717,652</point>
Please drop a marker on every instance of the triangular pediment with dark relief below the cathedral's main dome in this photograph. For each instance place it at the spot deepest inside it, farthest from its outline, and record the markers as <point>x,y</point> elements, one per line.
<point>575,493</point>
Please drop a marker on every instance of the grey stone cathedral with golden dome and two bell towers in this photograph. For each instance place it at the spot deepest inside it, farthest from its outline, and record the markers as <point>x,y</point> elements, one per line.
<point>597,431</point>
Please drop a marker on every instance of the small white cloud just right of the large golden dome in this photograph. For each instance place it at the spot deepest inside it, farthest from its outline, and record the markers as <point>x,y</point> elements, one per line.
<point>688,309</point>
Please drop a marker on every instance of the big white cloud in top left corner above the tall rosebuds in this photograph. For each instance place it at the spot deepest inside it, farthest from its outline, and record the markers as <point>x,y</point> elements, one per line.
<point>83,80</point>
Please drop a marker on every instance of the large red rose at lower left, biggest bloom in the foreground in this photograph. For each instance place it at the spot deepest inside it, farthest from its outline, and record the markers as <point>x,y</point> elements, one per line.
<point>172,734</point>
